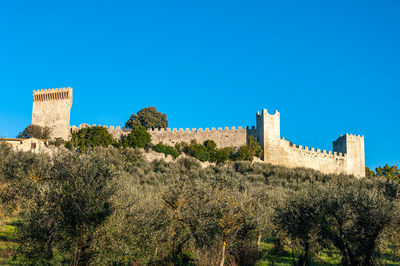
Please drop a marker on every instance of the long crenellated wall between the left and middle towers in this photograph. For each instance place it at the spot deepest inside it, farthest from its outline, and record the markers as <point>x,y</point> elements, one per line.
<point>233,137</point>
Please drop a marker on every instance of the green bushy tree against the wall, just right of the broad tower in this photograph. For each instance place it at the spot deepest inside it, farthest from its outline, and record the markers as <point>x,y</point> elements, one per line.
<point>90,137</point>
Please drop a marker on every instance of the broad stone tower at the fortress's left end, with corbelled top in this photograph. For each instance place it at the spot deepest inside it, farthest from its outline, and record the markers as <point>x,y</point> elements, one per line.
<point>52,108</point>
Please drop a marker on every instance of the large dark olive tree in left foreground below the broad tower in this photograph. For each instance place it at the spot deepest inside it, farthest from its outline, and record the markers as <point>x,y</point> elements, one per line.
<point>70,202</point>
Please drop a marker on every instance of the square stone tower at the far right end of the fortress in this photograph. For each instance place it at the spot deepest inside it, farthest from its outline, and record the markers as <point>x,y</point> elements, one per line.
<point>353,146</point>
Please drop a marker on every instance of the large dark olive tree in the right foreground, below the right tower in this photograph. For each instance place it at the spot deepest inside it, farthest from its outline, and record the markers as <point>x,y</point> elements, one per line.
<point>351,215</point>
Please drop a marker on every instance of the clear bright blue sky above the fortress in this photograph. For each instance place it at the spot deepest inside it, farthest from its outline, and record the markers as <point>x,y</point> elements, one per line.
<point>329,67</point>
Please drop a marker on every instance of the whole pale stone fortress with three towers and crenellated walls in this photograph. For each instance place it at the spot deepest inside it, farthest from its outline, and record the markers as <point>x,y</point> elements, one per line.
<point>52,108</point>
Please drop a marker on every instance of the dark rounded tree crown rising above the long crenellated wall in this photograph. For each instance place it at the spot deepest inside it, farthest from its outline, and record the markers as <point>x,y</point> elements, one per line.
<point>149,118</point>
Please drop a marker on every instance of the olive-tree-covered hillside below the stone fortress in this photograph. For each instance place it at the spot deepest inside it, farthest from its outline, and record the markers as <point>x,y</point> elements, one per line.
<point>111,206</point>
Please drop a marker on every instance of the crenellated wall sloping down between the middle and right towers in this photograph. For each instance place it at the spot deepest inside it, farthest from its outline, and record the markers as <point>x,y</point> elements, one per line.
<point>292,156</point>
